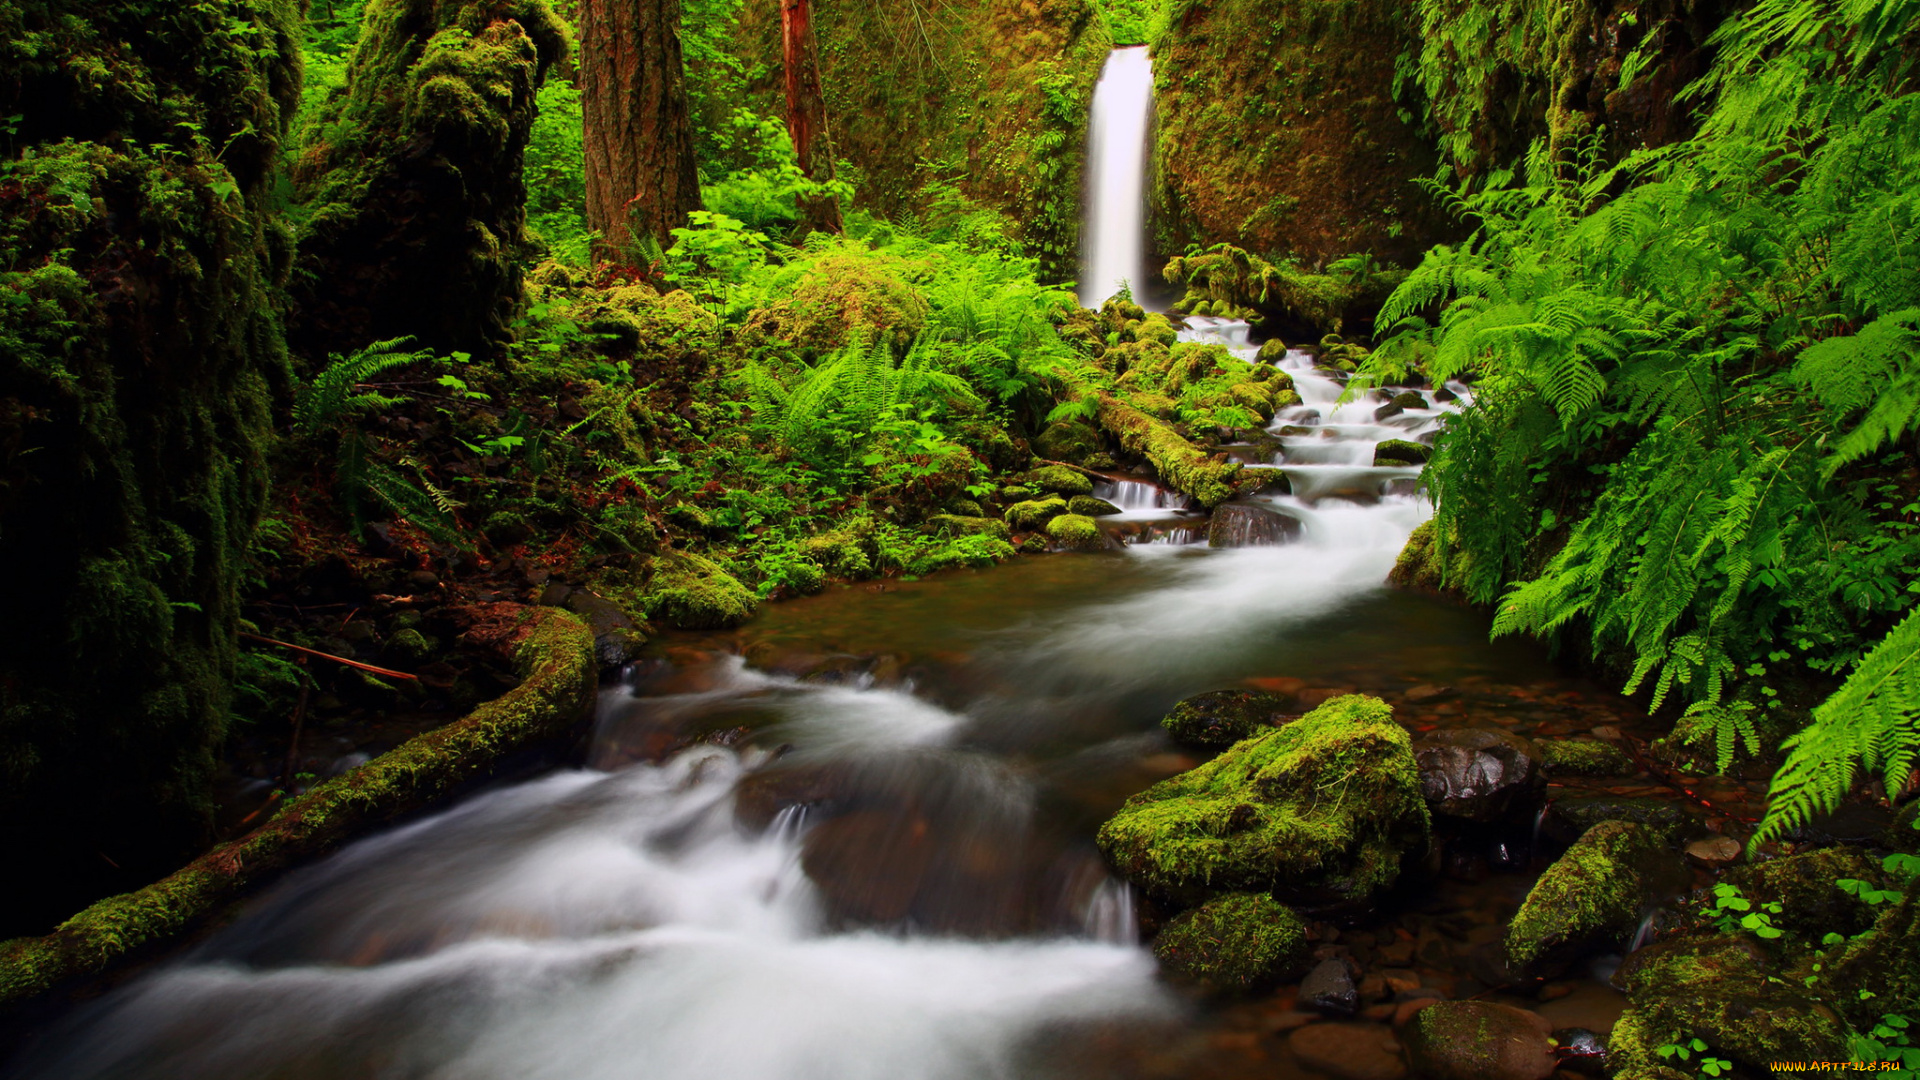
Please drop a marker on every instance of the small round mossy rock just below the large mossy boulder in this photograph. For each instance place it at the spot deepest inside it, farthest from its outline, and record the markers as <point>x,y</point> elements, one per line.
<point>1237,943</point>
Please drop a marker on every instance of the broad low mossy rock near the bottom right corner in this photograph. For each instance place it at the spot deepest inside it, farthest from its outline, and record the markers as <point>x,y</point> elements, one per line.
<point>1719,991</point>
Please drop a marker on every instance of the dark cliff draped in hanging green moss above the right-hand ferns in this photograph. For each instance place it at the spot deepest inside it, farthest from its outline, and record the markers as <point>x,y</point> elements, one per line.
<point>1502,74</point>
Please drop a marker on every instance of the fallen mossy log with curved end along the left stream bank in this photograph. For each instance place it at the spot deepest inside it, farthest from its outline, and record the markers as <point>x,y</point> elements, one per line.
<point>554,654</point>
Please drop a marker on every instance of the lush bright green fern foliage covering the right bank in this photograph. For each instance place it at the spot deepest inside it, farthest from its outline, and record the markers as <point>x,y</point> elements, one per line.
<point>1689,364</point>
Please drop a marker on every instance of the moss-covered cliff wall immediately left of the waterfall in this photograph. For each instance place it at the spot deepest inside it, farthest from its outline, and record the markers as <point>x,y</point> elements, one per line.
<point>986,95</point>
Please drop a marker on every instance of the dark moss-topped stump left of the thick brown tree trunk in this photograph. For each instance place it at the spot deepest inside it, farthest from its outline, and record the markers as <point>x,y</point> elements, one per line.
<point>412,178</point>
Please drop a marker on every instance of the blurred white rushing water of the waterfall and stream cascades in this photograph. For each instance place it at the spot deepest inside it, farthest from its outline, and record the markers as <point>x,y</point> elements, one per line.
<point>629,920</point>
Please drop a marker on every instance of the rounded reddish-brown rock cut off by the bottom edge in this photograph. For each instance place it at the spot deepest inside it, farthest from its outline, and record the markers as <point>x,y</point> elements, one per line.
<point>1479,1041</point>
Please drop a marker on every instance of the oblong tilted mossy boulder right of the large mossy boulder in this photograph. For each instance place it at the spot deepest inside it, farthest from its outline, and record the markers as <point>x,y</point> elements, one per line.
<point>1593,896</point>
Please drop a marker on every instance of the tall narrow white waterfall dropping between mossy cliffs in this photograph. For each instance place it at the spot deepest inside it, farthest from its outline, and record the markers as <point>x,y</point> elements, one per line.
<point>1115,243</point>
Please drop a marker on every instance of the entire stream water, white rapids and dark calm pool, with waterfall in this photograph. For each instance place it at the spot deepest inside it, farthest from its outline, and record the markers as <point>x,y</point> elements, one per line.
<point>853,841</point>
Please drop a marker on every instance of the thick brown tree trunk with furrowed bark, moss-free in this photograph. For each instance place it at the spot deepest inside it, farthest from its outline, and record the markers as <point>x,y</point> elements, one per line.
<point>638,137</point>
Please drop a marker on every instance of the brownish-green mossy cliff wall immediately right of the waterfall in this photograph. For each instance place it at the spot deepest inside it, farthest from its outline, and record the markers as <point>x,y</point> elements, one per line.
<point>1278,132</point>
